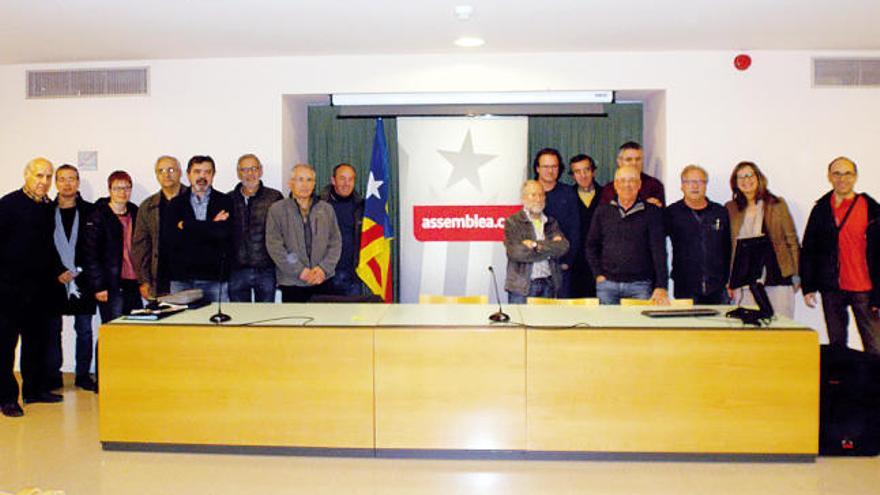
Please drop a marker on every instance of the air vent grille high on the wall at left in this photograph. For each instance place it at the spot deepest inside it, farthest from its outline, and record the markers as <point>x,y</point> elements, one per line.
<point>87,82</point>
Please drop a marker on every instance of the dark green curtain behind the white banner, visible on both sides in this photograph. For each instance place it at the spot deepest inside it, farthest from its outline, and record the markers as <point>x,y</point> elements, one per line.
<point>333,140</point>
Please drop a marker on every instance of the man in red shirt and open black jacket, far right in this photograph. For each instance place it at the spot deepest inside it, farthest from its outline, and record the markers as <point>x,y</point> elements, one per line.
<point>840,257</point>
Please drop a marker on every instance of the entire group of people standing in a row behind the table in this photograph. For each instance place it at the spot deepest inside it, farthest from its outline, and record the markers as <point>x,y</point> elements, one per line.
<point>69,256</point>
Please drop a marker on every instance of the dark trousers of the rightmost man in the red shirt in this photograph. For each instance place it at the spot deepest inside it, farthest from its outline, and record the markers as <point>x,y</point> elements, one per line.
<point>834,306</point>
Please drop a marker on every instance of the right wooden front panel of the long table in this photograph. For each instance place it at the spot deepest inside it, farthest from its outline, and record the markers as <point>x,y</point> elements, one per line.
<point>713,391</point>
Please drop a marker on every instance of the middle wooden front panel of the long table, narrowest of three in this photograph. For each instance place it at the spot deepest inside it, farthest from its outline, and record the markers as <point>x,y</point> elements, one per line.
<point>441,388</point>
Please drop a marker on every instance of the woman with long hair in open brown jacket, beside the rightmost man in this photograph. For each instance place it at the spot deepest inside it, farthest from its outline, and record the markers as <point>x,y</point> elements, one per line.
<point>755,211</point>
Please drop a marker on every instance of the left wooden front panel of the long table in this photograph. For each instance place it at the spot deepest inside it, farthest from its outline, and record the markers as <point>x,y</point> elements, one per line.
<point>237,385</point>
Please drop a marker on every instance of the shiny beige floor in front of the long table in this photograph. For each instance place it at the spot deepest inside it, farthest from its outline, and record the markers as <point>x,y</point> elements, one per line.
<point>56,447</point>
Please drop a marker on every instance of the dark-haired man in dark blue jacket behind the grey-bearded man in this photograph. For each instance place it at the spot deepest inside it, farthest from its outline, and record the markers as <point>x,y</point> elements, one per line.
<point>561,204</point>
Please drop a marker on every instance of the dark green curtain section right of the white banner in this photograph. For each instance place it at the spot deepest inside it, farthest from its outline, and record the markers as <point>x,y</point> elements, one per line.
<point>598,137</point>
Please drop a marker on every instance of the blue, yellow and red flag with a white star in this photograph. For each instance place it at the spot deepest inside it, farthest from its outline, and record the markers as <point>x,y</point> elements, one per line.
<point>374,267</point>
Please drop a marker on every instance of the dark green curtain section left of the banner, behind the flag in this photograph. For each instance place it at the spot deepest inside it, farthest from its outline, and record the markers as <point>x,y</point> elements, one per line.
<point>333,141</point>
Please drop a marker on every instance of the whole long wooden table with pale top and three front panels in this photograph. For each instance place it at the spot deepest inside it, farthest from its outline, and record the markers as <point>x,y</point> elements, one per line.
<point>435,380</point>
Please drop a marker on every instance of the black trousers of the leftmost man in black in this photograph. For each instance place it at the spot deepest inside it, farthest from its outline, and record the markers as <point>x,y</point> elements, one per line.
<point>34,328</point>
